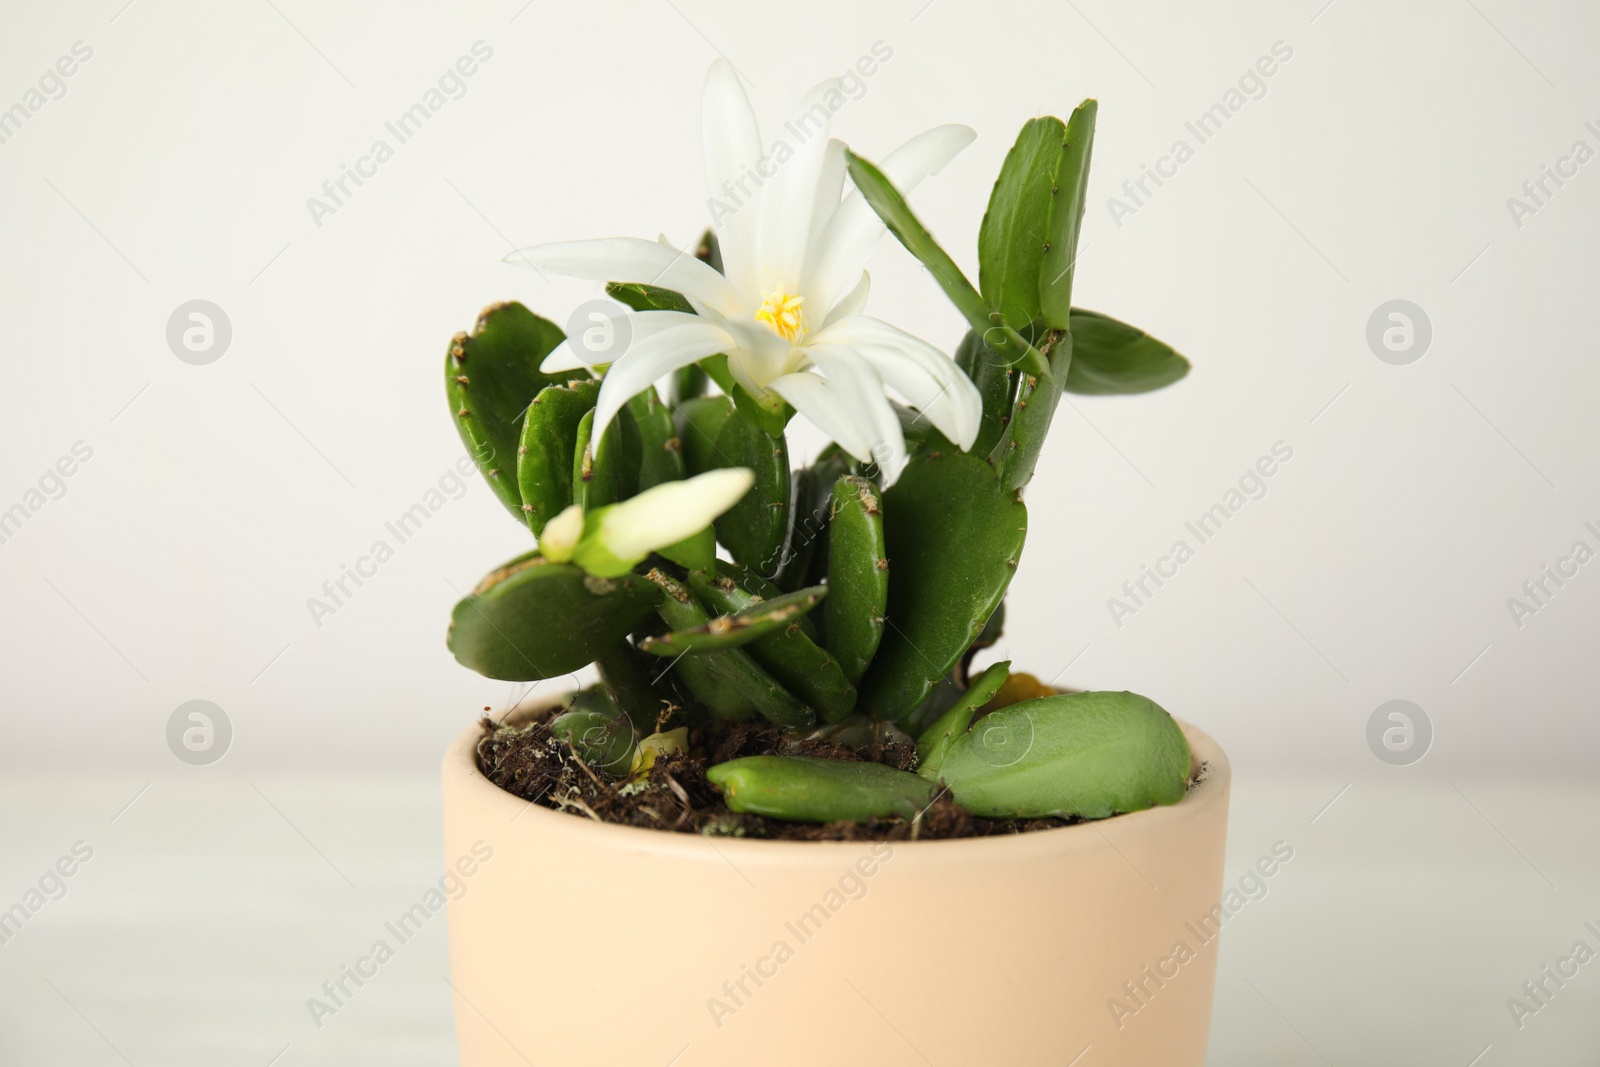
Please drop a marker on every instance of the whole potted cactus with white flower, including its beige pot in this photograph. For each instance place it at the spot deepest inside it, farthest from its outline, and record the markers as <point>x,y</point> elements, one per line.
<point>791,823</point>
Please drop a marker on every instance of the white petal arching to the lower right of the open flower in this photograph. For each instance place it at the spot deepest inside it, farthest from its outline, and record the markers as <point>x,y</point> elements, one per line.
<point>929,380</point>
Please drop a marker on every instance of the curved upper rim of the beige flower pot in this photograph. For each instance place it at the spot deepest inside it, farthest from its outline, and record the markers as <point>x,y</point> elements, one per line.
<point>462,772</point>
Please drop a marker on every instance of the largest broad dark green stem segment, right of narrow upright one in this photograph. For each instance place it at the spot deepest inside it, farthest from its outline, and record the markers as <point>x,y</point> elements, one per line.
<point>954,538</point>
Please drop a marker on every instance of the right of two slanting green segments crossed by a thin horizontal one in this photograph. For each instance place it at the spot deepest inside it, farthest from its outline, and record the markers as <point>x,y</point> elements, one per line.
<point>791,655</point>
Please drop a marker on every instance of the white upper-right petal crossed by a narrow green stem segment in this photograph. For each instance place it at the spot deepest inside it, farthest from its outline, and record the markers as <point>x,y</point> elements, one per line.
<point>855,228</point>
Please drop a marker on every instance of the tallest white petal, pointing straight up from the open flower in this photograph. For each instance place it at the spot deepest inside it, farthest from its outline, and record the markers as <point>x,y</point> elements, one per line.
<point>734,148</point>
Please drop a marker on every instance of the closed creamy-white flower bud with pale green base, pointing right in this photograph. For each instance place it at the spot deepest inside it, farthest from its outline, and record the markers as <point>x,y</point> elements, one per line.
<point>612,540</point>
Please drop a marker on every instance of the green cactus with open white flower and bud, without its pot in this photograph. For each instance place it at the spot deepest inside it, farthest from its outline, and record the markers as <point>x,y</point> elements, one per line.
<point>850,594</point>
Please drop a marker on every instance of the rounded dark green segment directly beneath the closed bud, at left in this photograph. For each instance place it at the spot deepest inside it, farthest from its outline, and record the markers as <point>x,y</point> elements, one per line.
<point>534,620</point>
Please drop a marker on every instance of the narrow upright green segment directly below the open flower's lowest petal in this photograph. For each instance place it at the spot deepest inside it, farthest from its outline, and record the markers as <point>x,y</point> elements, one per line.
<point>858,575</point>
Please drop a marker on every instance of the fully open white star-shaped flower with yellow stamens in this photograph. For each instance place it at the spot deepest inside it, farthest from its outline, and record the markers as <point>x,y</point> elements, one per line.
<point>788,313</point>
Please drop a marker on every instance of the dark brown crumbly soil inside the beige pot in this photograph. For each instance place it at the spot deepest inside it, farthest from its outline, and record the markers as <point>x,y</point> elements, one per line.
<point>678,797</point>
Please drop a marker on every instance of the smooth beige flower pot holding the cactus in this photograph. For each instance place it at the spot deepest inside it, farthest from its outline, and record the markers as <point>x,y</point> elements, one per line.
<point>575,943</point>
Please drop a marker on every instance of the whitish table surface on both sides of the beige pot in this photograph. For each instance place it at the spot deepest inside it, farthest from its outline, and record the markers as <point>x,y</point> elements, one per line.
<point>214,906</point>
